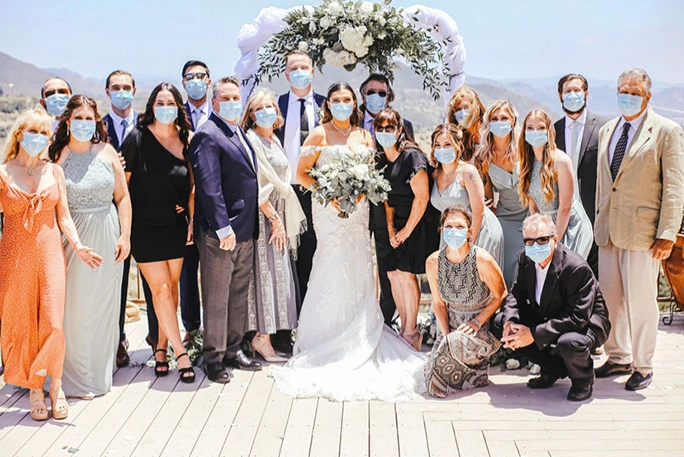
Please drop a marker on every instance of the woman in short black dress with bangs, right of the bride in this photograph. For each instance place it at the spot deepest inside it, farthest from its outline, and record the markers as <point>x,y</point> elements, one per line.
<point>405,167</point>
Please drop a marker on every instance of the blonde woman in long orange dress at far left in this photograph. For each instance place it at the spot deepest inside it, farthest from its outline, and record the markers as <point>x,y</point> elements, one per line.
<point>32,286</point>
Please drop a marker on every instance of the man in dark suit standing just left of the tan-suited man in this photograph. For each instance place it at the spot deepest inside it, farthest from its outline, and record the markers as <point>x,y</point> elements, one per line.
<point>577,135</point>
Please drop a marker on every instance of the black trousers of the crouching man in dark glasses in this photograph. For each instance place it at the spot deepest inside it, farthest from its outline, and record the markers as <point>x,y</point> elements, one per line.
<point>570,357</point>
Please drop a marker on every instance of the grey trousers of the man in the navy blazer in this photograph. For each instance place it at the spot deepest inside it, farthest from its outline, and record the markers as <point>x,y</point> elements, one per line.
<point>225,279</point>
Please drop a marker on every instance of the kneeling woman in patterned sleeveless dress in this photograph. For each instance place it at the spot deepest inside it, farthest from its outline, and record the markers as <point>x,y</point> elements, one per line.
<point>467,288</point>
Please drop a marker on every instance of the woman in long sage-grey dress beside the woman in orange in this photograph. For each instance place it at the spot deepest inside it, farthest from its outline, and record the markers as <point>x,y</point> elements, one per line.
<point>101,209</point>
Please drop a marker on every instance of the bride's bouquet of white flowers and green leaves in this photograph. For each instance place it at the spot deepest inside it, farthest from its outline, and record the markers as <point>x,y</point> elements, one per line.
<point>346,179</point>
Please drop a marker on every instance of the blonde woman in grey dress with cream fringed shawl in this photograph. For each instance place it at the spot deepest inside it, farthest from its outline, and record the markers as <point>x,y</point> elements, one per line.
<point>272,296</point>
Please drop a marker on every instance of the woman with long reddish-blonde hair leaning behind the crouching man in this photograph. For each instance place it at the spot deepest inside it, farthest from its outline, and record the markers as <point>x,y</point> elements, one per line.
<point>547,183</point>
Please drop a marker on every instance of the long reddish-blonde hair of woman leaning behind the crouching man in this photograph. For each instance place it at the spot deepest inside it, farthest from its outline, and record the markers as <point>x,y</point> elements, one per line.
<point>548,173</point>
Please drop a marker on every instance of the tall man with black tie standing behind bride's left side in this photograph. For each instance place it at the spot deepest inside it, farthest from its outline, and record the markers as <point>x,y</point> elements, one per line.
<point>300,109</point>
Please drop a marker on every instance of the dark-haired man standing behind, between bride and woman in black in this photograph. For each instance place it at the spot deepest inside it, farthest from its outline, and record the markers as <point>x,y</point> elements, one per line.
<point>377,94</point>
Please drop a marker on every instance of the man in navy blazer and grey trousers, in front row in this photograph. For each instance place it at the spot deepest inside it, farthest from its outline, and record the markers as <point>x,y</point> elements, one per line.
<point>226,212</point>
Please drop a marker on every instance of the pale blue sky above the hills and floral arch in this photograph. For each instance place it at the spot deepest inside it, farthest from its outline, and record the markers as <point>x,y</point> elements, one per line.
<point>503,39</point>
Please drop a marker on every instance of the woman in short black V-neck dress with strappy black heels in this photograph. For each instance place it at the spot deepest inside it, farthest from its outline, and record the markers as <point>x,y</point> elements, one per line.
<point>161,188</point>
